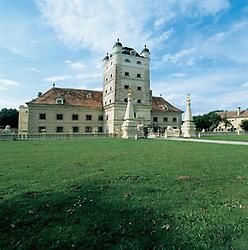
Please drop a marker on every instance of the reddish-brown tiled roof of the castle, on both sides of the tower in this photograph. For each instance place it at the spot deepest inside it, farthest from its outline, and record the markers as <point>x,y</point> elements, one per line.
<point>91,98</point>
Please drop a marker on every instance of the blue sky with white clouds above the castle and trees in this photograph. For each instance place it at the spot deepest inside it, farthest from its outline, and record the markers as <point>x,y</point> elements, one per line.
<point>197,46</point>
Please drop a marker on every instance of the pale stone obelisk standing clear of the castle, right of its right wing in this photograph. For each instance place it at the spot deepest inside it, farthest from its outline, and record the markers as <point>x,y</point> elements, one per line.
<point>188,127</point>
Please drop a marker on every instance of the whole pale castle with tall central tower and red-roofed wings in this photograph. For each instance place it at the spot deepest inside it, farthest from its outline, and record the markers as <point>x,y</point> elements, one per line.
<point>63,110</point>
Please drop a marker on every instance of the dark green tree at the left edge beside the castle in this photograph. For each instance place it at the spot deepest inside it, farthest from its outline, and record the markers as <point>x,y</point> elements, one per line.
<point>9,117</point>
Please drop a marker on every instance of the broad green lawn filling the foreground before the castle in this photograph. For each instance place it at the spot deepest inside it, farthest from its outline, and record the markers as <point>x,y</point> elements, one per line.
<point>123,194</point>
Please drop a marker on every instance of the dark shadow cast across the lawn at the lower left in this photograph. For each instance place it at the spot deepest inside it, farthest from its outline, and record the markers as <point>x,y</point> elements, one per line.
<point>82,218</point>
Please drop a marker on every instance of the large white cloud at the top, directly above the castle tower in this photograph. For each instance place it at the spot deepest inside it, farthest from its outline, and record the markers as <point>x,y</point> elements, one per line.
<point>96,24</point>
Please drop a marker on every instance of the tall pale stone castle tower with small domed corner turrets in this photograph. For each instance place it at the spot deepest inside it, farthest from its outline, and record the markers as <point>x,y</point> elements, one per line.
<point>126,71</point>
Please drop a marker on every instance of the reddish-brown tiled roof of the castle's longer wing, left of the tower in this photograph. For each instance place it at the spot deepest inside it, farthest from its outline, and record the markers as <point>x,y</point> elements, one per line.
<point>75,97</point>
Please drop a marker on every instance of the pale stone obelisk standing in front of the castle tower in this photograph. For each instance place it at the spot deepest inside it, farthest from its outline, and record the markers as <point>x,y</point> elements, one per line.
<point>129,126</point>
